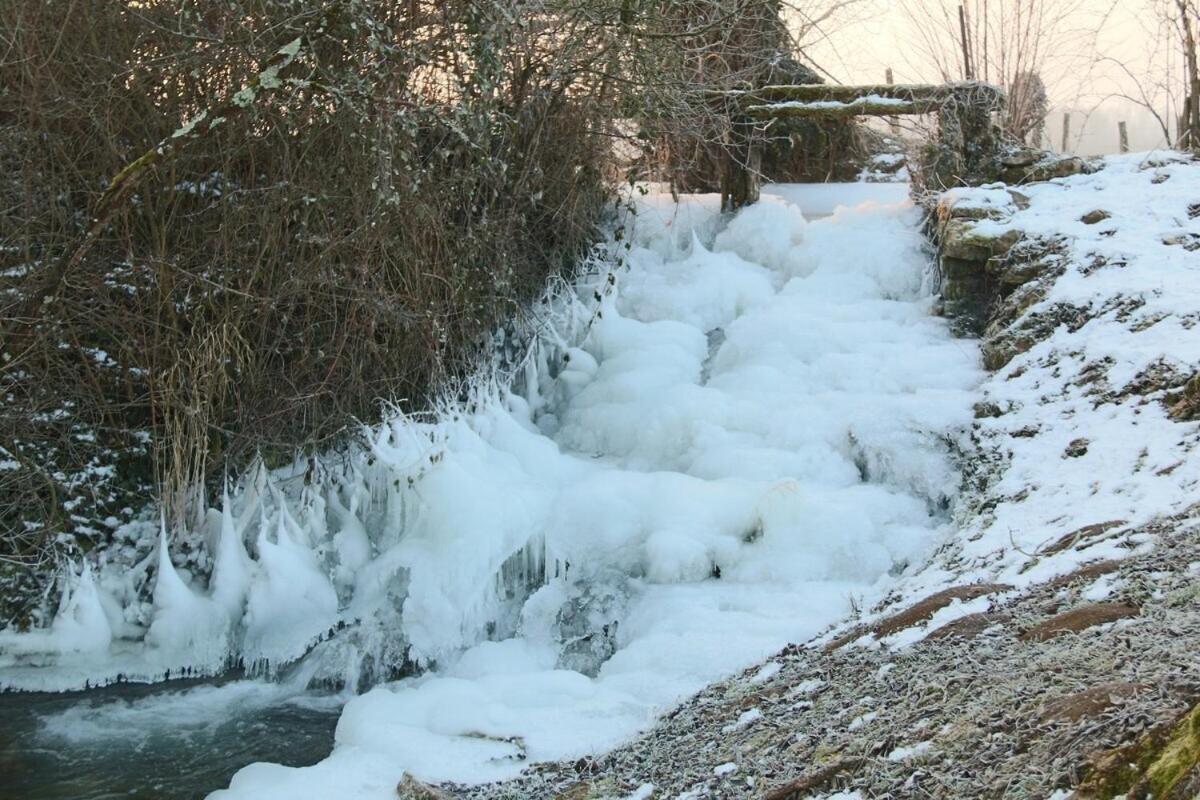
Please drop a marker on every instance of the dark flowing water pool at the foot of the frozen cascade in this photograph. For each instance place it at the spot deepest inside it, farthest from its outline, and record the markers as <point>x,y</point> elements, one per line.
<point>167,742</point>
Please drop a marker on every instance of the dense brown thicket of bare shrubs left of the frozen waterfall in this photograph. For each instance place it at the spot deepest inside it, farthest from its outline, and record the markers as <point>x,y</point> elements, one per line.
<point>176,299</point>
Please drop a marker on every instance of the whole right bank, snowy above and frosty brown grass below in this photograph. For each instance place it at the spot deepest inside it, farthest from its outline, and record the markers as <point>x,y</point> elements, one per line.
<point>1049,648</point>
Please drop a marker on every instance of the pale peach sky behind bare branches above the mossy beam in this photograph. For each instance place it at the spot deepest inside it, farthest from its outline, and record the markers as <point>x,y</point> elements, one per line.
<point>1085,70</point>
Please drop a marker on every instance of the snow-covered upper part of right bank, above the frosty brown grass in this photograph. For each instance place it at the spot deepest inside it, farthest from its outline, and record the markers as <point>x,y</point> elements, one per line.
<point>1075,453</point>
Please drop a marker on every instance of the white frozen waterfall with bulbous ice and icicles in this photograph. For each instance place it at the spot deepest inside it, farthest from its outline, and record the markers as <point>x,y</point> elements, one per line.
<point>729,434</point>
